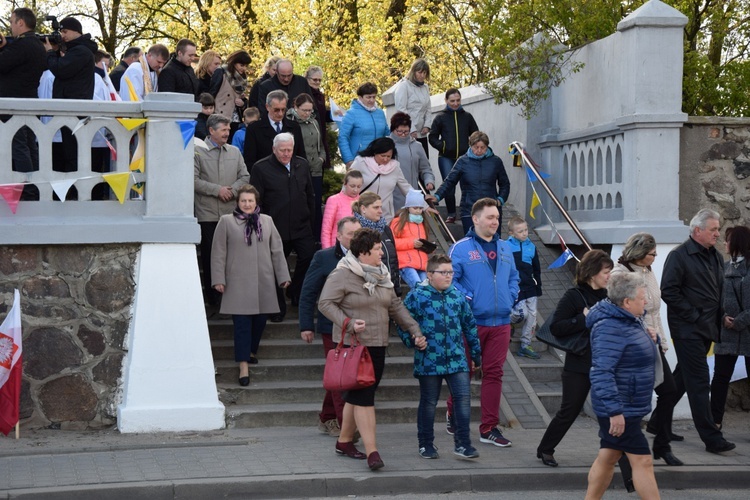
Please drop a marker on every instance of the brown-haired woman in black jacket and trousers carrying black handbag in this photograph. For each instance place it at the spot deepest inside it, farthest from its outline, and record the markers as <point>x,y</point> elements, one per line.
<point>569,318</point>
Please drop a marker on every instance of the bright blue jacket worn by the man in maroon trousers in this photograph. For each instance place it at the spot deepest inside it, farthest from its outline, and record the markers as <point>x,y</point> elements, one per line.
<point>491,294</point>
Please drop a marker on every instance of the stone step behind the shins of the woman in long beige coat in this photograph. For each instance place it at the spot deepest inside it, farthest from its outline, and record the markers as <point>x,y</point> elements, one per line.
<point>293,348</point>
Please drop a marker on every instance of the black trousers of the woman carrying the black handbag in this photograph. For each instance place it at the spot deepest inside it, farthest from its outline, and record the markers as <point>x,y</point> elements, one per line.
<point>576,387</point>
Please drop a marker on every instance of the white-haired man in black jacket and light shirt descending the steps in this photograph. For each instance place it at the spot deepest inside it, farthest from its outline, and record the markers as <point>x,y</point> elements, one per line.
<point>286,194</point>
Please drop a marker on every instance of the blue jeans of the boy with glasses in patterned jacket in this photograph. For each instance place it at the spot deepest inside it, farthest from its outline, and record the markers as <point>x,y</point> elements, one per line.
<point>429,393</point>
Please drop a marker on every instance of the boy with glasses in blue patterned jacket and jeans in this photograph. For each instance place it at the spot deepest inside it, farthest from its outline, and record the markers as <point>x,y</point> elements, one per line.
<point>445,317</point>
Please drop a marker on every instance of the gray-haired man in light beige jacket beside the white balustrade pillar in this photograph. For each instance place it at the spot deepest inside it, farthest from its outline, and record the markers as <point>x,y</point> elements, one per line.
<point>218,173</point>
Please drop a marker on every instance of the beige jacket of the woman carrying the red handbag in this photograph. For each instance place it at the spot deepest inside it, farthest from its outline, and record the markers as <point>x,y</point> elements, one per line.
<point>344,296</point>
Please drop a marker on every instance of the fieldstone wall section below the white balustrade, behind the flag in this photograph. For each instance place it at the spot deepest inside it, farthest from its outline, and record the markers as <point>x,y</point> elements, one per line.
<point>76,308</point>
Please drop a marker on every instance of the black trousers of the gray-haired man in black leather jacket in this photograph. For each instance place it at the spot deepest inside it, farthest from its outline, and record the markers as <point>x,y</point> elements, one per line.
<point>692,372</point>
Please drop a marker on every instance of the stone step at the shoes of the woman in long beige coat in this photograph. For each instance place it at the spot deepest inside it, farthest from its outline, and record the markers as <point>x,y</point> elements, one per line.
<point>292,370</point>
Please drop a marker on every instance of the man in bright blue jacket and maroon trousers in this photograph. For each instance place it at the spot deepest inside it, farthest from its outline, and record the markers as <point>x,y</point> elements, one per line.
<point>485,272</point>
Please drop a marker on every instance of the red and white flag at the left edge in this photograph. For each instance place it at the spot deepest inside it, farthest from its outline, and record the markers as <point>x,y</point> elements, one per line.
<point>10,367</point>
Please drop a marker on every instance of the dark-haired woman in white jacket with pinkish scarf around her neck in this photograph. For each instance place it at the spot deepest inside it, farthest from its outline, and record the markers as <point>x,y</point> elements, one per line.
<point>381,172</point>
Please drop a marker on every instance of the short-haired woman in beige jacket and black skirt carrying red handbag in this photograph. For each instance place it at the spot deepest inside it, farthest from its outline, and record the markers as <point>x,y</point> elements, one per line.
<point>360,289</point>
